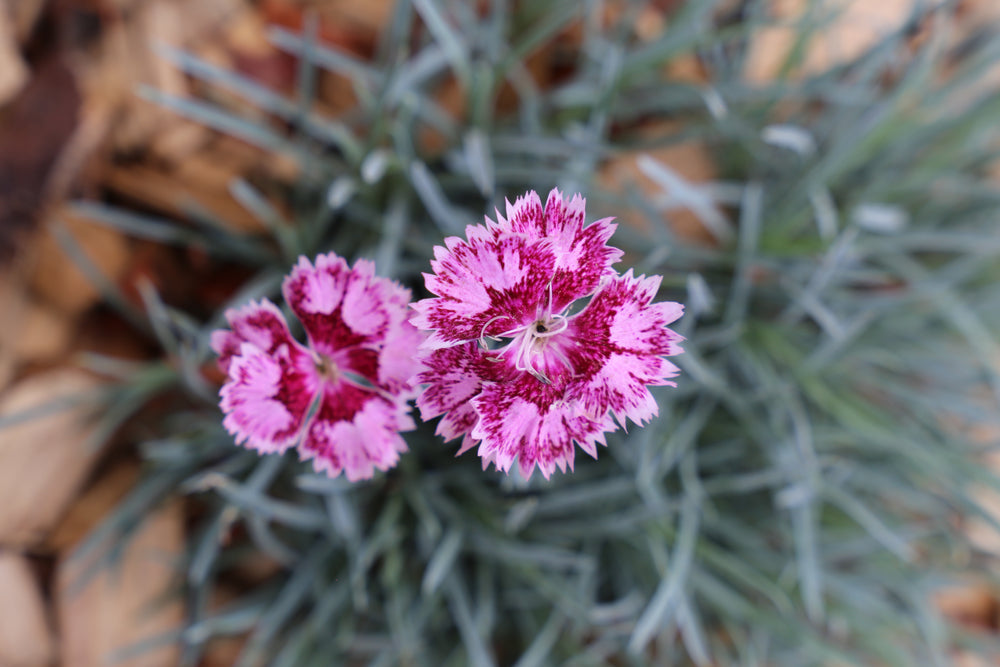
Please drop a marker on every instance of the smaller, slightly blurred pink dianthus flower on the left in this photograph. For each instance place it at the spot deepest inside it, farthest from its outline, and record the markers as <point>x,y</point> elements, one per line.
<point>343,399</point>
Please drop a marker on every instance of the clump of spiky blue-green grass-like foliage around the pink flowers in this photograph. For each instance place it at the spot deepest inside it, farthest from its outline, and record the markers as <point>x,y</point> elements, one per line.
<point>802,489</point>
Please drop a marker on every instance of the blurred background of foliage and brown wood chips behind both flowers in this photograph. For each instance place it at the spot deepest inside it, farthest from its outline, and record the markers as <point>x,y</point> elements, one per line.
<point>817,180</point>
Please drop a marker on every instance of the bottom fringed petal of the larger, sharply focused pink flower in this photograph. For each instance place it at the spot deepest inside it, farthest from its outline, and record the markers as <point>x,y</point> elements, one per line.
<point>534,423</point>
